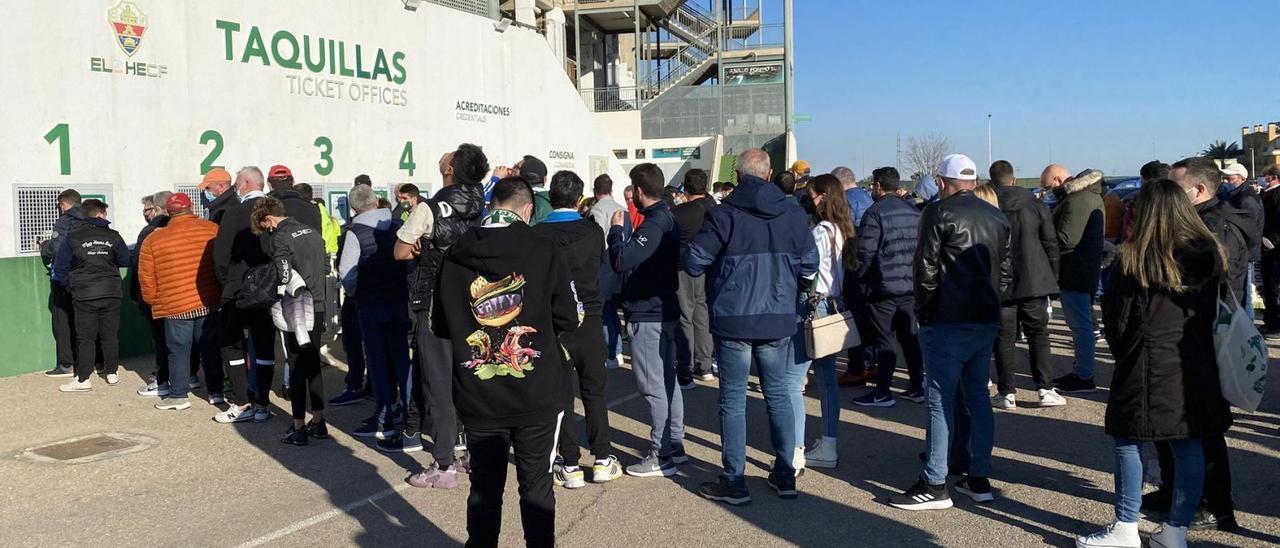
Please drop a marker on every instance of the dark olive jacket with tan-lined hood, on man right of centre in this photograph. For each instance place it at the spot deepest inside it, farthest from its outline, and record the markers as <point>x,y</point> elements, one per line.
<point>1081,225</point>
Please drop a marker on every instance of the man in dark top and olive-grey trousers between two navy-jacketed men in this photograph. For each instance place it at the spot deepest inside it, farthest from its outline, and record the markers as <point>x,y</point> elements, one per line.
<point>694,345</point>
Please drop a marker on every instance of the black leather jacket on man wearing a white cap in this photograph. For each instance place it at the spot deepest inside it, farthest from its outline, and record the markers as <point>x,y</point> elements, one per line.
<point>962,262</point>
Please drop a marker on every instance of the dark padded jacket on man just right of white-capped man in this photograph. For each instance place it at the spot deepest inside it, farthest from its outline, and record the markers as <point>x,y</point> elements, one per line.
<point>1034,244</point>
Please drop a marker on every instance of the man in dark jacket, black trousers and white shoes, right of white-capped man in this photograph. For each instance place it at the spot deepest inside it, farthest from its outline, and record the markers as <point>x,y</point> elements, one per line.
<point>1034,243</point>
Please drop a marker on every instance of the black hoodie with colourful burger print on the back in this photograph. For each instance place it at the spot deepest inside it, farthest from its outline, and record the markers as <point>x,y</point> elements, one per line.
<point>505,302</point>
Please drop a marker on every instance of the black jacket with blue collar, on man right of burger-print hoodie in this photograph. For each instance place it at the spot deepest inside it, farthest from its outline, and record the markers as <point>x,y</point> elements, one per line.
<point>583,246</point>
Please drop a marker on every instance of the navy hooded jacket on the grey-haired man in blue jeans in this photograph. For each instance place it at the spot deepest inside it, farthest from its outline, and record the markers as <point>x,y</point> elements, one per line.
<point>755,250</point>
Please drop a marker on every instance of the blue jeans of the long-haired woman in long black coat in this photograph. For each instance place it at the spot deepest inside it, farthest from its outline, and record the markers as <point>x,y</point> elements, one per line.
<point>1188,481</point>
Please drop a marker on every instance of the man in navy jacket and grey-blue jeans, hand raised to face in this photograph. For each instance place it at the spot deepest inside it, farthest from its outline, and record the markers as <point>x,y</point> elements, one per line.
<point>648,262</point>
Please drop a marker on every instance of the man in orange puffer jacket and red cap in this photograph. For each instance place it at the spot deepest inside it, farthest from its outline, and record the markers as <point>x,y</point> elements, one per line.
<point>176,273</point>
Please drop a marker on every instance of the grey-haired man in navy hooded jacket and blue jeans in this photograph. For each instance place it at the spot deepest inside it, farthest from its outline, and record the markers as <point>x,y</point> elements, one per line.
<point>755,249</point>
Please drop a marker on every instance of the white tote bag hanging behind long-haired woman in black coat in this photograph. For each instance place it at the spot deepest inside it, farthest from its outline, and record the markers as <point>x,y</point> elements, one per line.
<point>1242,357</point>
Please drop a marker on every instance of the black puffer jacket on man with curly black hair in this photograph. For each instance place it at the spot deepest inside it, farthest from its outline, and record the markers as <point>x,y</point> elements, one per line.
<point>456,211</point>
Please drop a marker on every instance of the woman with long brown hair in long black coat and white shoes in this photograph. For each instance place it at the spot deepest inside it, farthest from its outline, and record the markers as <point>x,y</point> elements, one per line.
<point>1159,314</point>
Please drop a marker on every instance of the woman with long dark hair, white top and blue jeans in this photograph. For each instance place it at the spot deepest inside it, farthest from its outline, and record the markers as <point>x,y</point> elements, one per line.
<point>835,227</point>
